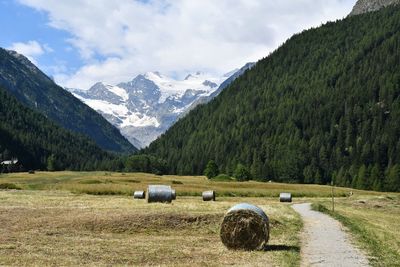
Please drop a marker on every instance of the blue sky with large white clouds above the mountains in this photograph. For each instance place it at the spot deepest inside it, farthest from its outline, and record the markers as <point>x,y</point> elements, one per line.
<point>81,42</point>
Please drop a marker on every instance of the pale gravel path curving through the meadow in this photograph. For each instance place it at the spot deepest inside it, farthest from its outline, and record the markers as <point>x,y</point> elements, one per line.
<point>324,241</point>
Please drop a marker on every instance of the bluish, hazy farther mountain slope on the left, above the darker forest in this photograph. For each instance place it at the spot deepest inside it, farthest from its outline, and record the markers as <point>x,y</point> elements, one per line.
<point>35,90</point>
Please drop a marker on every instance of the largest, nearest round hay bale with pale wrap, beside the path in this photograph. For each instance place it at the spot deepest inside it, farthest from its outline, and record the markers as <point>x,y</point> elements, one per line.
<point>245,227</point>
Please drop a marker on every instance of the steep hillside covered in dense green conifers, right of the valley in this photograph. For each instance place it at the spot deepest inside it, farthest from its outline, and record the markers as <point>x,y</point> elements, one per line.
<point>325,104</point>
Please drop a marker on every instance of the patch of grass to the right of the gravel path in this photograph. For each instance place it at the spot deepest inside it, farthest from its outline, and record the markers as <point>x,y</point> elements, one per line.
<point>374,221</point>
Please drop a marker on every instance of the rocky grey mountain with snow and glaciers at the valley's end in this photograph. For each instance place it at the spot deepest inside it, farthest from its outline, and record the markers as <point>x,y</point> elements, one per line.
<point>147,106</point>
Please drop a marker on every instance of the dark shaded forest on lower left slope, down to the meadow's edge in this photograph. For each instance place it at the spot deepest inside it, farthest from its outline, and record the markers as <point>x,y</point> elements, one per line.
<point>40,144</point>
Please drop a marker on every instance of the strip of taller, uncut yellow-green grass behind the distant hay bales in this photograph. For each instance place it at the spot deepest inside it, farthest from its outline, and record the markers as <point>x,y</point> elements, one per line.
<point>106,183</point>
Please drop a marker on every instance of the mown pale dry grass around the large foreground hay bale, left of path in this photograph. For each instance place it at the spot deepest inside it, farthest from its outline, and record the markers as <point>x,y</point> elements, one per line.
<point>60,228</point>
